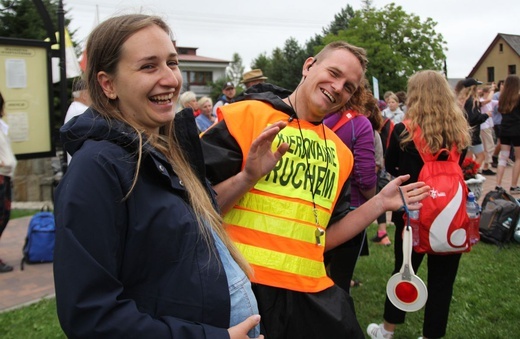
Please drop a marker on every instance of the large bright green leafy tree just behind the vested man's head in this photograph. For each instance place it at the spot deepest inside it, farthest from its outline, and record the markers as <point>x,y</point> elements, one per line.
<point>398,44</point>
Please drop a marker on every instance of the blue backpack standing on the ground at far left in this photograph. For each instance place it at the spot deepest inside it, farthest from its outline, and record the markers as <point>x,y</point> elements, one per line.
<point>40,239</point>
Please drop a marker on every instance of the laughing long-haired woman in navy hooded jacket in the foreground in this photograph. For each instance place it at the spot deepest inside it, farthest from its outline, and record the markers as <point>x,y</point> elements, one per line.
<point>141,251</point>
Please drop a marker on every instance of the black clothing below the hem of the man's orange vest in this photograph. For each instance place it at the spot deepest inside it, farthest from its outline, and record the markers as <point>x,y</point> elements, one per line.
<point>297,315</point>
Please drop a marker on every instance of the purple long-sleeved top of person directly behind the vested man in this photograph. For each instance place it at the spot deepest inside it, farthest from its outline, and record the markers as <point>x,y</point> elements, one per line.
<point>363,176</point>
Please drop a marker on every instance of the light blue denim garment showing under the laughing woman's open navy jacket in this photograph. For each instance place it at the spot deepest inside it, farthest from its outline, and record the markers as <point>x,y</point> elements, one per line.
<point>243,301</point>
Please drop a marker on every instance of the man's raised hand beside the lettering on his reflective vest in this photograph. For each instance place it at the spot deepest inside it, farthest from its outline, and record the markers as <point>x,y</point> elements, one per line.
<point>261,159</point>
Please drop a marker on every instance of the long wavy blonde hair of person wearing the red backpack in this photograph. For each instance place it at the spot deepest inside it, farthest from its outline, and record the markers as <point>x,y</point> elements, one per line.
<point>431,105</point>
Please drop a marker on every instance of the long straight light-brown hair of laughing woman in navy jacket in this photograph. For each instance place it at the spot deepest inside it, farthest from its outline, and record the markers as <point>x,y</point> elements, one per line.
<point>104,48</point>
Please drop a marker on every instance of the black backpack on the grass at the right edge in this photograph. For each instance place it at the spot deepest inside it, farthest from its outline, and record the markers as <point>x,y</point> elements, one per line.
<point>500,213</point>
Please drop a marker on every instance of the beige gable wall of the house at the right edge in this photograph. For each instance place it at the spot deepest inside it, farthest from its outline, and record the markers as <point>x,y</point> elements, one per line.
<point>500,61</point>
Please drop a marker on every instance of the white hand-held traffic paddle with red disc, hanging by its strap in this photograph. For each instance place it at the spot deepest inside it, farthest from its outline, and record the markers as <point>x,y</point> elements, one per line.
<point>404,289</point>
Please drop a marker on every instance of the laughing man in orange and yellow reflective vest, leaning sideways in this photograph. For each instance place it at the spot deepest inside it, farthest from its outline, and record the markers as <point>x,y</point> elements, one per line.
<point>282,219</point>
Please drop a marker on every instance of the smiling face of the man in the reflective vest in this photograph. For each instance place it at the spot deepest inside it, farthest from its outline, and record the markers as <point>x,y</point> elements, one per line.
<point>330,83</point>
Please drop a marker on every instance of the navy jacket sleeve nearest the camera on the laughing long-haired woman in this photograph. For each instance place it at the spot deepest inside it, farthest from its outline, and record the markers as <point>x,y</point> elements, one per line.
<point>91,218</point>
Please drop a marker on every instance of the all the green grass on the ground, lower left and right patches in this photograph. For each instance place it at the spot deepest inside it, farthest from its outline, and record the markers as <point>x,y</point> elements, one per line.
<point>486,299</point>
